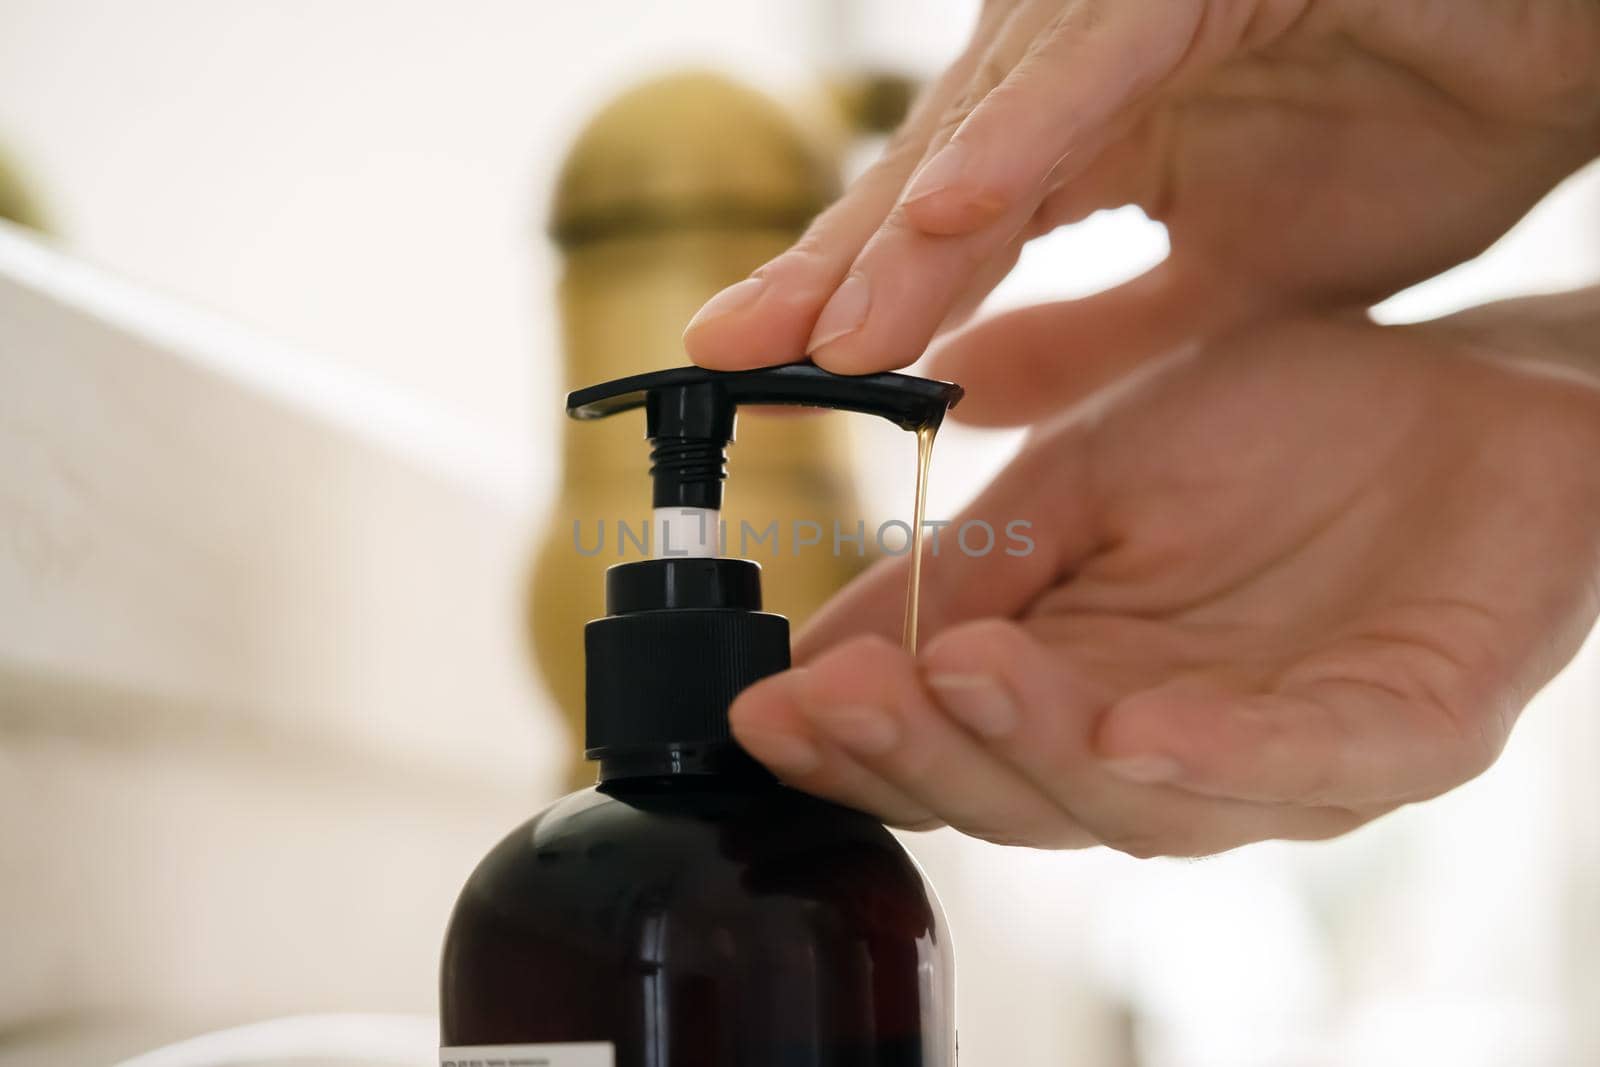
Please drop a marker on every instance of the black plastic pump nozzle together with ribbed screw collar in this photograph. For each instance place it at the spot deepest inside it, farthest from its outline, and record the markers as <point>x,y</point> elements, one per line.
<point>684,636</point>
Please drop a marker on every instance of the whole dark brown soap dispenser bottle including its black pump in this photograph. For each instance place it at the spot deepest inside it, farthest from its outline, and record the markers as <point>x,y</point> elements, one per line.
<point>689,909</point>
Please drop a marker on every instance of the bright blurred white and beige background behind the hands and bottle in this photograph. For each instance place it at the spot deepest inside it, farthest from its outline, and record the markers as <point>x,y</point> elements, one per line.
<point>340,206</point>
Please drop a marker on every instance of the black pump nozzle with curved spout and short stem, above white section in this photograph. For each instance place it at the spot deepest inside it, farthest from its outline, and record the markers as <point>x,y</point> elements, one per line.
<point>690,414</point>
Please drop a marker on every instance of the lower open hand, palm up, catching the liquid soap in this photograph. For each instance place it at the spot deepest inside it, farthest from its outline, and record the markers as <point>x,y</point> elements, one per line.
<point>1284,583</point>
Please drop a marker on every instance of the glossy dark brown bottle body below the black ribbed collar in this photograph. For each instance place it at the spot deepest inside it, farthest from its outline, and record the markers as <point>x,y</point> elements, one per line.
<point>698,914</point>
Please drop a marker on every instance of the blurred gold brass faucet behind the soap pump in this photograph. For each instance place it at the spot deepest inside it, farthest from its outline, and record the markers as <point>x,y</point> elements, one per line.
<point>674,191</point>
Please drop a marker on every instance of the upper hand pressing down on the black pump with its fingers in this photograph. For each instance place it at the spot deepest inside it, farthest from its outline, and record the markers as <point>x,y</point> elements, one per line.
<point>1303,154</point>
